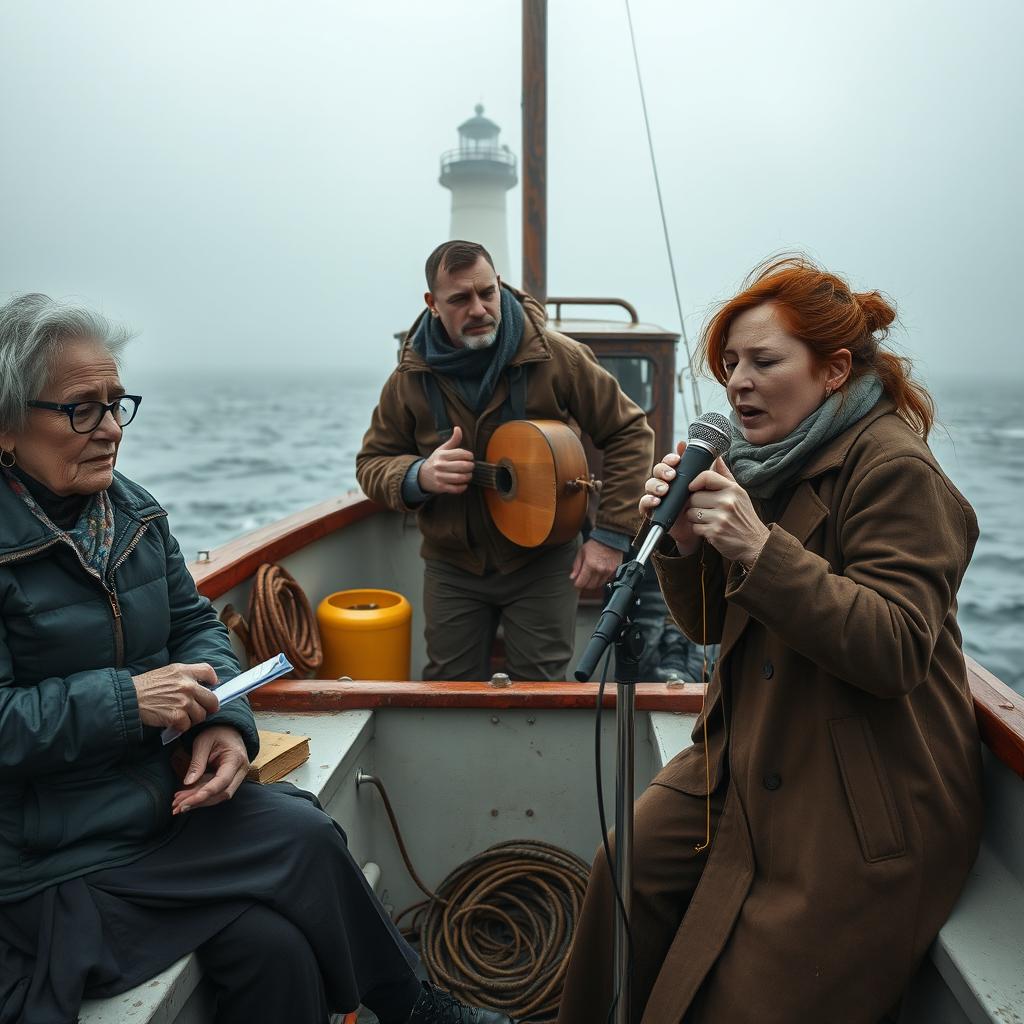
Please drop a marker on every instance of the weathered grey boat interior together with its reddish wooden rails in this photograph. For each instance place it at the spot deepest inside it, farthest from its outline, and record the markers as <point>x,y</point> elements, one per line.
<point>445,751</point>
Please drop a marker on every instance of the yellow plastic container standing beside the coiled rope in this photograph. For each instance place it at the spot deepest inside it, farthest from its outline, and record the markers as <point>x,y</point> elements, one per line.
<point>366,634</point>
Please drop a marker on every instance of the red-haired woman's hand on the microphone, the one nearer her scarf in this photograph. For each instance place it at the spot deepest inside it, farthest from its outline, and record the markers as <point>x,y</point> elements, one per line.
<point>721,513</point>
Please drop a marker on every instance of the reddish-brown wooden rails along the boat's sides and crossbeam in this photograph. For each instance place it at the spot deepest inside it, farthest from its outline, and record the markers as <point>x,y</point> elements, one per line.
<point>999,709</point>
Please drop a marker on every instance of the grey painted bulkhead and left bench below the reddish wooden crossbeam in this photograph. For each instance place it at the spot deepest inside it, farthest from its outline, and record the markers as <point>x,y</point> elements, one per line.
<point>452,799</point>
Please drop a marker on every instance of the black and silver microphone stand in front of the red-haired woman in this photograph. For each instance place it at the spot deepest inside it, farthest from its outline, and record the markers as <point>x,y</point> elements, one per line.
<point>615,626</point>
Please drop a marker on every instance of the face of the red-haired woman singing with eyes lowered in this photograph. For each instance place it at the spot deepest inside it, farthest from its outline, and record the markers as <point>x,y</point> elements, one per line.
<point>775,381</point>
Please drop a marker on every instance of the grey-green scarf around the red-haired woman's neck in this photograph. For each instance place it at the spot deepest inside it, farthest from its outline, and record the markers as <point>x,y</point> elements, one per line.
<point>762,470</point>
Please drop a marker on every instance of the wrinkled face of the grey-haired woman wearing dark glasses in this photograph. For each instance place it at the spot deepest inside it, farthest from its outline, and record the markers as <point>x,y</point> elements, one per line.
<point>49,450</point>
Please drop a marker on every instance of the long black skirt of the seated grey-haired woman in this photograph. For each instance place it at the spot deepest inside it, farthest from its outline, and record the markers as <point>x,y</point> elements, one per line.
<point>272,847</point>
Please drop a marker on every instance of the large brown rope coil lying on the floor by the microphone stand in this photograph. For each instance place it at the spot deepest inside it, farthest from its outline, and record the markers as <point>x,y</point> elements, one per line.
<point>500,930</point>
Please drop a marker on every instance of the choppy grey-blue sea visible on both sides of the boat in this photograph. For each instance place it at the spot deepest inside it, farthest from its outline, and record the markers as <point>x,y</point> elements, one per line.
<point>227,455</point>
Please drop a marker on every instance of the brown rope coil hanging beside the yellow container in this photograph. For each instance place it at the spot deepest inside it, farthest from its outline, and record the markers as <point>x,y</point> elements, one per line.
<point>281,621</point>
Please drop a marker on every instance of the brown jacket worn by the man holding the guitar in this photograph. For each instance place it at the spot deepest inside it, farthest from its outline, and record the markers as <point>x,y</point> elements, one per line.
<point>566,382</point>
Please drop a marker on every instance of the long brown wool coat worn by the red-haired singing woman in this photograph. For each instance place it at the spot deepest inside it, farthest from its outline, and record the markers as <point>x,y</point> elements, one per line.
<point>854,806</point>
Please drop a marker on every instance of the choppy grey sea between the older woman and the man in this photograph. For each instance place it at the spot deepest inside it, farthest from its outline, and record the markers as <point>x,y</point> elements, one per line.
<point>231,453</point>
